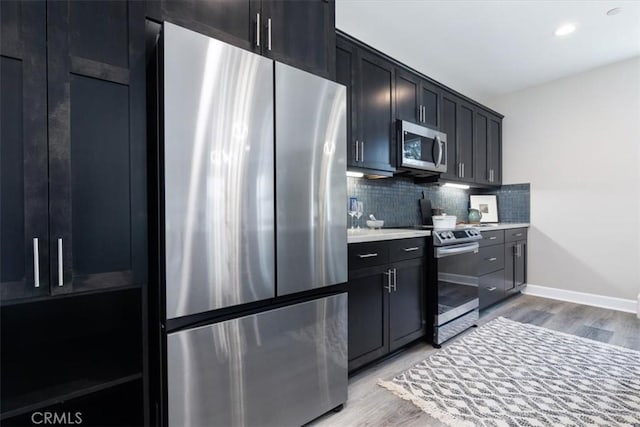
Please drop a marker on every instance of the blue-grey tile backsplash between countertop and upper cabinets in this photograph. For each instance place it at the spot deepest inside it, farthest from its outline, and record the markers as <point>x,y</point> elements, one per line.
<point>395,200</point>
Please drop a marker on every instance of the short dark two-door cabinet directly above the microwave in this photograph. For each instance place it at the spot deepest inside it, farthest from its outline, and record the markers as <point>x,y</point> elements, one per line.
<point>416,99</point>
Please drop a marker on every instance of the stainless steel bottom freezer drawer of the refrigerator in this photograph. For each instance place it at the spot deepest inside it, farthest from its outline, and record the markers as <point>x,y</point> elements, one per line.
<point>282,367</point>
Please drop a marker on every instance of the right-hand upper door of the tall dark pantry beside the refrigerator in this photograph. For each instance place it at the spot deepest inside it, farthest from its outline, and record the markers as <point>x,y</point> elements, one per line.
<point>96,157</point>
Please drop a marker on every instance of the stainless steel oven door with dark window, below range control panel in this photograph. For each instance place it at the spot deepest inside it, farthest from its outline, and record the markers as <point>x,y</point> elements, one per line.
<point>457,281</point>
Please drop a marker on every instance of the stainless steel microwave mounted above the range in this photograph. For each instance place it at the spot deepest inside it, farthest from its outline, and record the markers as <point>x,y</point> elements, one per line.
<point>421,148</point>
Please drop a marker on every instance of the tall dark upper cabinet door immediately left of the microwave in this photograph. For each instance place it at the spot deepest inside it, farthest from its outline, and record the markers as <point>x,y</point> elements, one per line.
<point>375,125</point>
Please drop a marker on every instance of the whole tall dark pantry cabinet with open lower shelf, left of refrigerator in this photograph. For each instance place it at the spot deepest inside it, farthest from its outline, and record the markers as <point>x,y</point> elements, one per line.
<point>73,233</point>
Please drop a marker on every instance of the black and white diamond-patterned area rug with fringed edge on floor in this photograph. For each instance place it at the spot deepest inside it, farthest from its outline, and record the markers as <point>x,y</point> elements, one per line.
<point>512,374</point>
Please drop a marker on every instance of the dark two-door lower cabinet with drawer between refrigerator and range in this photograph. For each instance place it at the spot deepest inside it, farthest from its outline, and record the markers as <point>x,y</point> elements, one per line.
<point>386,298</point>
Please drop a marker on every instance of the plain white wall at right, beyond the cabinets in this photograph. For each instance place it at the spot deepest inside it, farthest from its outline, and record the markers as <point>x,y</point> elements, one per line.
<point>577,141</point>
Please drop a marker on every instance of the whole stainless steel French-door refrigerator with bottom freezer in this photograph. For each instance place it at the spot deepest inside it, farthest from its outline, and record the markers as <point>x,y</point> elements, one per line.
<point>254,196</point>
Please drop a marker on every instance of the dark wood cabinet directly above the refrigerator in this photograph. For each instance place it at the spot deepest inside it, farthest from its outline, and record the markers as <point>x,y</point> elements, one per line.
<point>300,33</point>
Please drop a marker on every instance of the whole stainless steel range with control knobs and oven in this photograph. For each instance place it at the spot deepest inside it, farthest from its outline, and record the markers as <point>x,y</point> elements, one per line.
<point>456,261</point>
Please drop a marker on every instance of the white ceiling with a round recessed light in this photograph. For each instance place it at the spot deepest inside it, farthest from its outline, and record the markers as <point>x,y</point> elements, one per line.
<point>485,49</point>
